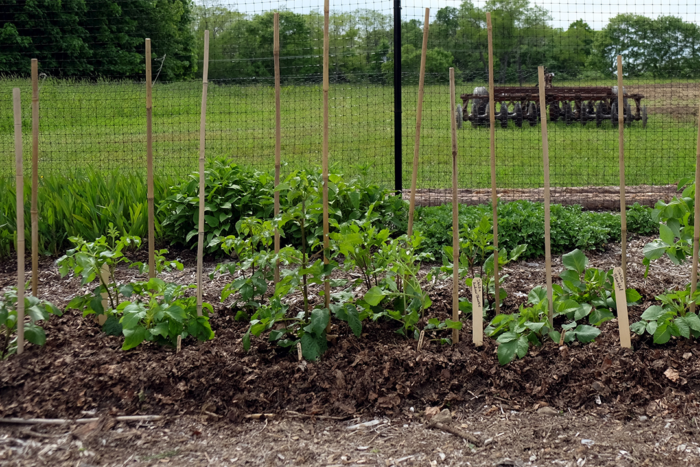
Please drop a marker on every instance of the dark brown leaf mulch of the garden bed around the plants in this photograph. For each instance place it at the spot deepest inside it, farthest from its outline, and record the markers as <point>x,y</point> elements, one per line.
<point>81,369</point>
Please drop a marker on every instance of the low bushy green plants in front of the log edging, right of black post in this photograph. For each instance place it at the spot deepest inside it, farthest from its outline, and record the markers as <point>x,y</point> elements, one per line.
<point>522,222</point>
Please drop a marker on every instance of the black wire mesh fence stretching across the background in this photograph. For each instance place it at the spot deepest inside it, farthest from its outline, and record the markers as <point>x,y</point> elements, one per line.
<point>93,114</point>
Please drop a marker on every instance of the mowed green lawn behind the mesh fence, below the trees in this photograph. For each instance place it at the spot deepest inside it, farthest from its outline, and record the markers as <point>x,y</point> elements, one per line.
<point>103,125</point>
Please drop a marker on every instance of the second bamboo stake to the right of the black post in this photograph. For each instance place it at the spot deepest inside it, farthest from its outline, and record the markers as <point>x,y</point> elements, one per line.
<point>455,211</point>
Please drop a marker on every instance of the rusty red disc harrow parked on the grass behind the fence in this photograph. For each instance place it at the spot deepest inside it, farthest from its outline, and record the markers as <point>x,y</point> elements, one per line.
<point>570,104</point>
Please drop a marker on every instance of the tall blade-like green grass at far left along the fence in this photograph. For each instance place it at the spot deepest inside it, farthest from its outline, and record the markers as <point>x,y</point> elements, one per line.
<point>81,204</point>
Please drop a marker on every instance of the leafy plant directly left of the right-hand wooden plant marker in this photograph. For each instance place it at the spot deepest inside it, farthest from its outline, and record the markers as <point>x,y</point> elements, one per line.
<point>587,292</point>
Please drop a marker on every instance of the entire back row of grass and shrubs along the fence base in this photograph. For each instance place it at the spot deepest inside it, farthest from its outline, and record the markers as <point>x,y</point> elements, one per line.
<point>86,202</point>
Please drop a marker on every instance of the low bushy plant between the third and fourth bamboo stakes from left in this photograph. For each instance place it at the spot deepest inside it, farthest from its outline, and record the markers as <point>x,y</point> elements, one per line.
<point>160,312</point>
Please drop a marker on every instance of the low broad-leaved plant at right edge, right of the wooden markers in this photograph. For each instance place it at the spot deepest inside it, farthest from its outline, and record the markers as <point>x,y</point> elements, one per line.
<point>672,318</point>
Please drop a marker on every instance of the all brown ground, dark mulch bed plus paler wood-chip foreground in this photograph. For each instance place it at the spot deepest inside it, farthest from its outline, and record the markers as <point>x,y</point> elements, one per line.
<point>623,400</point>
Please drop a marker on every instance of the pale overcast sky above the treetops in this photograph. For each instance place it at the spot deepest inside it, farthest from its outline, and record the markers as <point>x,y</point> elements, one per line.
<point>596,13</point>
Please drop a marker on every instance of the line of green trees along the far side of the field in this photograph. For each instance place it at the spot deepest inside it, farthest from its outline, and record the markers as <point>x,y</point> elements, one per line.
<point>82,38</point>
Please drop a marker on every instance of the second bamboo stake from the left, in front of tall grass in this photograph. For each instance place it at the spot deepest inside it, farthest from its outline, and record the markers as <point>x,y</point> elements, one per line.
<point>35,177</point>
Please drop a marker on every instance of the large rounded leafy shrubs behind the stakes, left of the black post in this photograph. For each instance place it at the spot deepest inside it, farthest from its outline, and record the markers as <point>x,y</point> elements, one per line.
<point>233,192</point>
